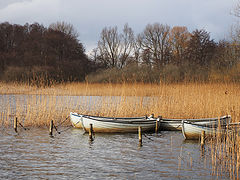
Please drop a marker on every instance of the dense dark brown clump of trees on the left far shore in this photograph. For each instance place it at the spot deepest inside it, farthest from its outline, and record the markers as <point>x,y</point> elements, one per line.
<point>36,54</point>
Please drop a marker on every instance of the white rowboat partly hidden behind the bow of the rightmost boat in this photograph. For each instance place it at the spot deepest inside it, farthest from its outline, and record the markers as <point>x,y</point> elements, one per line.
<point>176,124</point>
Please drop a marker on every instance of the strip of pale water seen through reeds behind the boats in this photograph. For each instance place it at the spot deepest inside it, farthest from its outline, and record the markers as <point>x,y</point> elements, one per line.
<point>22,103</point>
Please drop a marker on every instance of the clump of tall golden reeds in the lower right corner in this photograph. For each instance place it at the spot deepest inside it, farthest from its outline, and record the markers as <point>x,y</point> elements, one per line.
<point>224,150</point>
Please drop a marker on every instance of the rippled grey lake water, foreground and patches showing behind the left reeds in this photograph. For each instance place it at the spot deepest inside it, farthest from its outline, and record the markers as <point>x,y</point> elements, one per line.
<point>33,154</point>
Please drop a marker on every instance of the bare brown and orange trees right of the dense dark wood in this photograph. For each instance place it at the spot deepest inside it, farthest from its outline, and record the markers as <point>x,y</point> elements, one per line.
<point>162,53</point>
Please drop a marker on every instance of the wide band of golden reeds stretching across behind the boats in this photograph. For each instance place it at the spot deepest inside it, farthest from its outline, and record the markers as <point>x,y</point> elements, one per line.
<point>194,100</point>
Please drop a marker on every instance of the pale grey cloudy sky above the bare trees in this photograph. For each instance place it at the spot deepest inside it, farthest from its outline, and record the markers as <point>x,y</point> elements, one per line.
<point>89,17</point>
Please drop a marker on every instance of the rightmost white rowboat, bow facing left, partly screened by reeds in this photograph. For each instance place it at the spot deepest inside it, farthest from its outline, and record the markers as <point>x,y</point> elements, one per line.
<point>192,130</point>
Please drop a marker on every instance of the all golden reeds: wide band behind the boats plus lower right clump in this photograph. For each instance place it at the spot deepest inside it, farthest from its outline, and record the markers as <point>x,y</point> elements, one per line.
<point>36,106</point>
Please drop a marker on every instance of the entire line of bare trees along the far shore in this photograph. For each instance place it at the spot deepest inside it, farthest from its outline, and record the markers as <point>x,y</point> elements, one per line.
<point>40,55</point>
